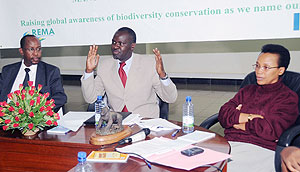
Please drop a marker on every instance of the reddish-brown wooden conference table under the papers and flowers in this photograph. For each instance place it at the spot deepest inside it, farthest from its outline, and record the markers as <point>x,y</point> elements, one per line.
<point>48,152</point>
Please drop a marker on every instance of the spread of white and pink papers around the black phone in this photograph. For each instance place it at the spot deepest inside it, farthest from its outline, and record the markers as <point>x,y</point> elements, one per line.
<point>166,151</point>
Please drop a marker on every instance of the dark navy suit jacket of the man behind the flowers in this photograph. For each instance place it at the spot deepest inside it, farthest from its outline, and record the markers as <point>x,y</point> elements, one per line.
<point>47,75</point>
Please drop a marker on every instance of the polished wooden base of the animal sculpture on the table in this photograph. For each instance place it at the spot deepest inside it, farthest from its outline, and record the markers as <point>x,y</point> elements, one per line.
<point>96,139</point>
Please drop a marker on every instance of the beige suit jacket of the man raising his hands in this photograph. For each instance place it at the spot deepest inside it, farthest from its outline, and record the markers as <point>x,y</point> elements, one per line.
<point>139,94</point>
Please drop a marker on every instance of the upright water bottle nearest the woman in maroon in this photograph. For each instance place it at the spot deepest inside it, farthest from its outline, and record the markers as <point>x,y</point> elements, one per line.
<point>188,116</point>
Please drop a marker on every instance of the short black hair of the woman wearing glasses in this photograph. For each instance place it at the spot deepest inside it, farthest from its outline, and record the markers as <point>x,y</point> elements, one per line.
<point>284,54</point>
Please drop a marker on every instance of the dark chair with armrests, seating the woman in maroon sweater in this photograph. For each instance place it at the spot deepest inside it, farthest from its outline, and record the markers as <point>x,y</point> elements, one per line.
<point>290,137</point>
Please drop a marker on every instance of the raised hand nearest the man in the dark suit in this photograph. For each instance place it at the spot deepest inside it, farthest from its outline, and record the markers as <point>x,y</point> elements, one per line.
<point>92,59</point>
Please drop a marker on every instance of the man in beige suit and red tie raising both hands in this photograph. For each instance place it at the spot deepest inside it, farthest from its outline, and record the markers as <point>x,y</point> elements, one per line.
<point>130,81</point>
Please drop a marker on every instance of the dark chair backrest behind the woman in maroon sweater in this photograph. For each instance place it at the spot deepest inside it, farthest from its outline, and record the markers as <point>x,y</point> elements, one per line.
<point>289,78</point>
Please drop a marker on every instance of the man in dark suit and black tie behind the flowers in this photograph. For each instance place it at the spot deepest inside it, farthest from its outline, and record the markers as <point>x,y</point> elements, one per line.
<point>39,72</point>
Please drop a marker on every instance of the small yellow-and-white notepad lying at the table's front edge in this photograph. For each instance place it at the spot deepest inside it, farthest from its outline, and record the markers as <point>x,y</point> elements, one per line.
<point>103,156</point>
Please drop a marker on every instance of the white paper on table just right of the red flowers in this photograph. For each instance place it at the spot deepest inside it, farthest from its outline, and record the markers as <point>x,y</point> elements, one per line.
<point>74,120</point>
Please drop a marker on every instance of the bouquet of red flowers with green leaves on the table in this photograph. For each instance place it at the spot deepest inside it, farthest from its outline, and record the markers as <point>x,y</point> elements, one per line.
<point>27,110</point>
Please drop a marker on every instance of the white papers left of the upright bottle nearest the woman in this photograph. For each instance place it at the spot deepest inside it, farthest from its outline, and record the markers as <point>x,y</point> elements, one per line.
<point>157,124</point>
